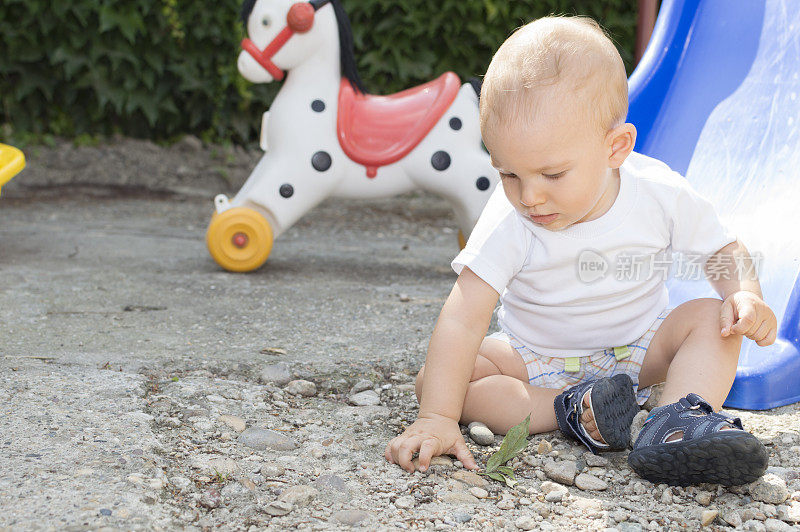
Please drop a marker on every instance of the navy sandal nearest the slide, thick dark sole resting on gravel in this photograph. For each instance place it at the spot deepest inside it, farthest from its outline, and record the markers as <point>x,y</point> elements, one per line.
<point>705,453</point>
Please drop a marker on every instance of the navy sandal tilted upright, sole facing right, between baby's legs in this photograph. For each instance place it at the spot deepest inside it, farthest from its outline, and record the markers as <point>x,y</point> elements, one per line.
<point>613,404</point>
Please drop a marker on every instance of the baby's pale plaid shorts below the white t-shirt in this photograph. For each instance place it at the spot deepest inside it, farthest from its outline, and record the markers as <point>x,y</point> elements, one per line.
<point>562,373</point>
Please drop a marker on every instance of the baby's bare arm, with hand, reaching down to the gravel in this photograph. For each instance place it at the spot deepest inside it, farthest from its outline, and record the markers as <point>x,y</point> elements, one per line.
<point>454,344</point>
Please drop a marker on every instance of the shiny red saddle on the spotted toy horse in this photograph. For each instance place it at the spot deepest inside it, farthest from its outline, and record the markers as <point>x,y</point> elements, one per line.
<point>378,130</point>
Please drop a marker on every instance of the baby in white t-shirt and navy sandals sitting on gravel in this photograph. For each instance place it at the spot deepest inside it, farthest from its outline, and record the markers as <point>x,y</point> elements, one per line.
<point>582,337</point>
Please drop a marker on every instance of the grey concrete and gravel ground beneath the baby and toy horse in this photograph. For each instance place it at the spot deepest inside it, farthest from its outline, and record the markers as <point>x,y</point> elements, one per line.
<point>142,388</point>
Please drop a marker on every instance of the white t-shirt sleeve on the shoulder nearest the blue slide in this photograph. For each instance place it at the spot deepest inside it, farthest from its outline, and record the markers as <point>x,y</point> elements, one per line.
<point>696,227</point>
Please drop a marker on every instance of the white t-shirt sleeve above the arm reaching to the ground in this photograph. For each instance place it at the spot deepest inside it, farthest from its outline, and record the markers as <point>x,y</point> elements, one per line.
<point>498,245</point>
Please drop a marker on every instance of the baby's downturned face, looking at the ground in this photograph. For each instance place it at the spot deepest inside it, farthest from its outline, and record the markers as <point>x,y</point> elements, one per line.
<point>556,173</point>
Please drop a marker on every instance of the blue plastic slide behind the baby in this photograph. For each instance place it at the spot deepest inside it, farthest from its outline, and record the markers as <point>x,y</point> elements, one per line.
<point>717,97</point>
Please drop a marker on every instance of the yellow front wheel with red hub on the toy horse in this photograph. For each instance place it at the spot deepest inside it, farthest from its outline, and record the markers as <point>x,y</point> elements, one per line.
<point>239,239</point>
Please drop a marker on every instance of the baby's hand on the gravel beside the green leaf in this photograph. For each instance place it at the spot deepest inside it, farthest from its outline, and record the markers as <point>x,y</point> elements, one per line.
<point>431,435</point>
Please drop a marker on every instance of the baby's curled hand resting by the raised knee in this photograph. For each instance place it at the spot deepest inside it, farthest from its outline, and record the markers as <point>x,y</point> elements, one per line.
<point>745,313</point>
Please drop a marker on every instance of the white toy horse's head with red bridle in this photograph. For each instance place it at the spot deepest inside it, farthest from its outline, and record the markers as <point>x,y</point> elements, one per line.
<point>282,34</point>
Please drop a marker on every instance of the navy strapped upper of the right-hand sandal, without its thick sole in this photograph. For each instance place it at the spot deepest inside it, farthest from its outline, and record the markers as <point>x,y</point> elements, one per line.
<point>691,415</point>
